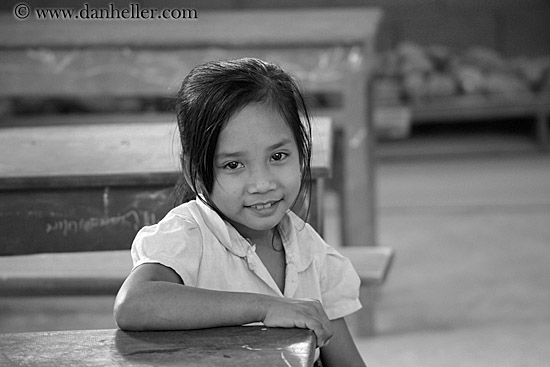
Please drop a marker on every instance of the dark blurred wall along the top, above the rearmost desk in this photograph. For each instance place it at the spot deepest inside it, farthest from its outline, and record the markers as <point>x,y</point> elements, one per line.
<point>511,27</point>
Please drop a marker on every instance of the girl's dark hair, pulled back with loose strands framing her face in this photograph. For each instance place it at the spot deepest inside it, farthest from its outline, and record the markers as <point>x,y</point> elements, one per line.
<point>214,92</point>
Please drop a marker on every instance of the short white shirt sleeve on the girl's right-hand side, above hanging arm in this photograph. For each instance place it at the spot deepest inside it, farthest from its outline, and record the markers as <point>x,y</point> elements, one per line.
<point>339,285</point>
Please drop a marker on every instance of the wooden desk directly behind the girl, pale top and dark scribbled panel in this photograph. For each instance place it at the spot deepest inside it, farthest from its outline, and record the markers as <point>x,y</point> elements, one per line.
<point>91,187</point>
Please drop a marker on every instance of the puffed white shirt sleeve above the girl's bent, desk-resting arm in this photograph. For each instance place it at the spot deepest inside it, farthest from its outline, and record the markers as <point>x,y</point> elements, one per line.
<point>175,242</point>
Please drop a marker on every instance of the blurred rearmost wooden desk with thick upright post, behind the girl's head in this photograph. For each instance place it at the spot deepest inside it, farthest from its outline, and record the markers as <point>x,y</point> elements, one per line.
<point>330,51</point>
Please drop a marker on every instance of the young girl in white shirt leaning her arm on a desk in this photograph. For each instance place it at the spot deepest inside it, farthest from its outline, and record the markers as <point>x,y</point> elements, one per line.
<point>236,253</point>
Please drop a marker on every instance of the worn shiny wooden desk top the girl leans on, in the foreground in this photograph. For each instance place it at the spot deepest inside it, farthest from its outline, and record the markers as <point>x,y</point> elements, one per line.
<point>228,346</point>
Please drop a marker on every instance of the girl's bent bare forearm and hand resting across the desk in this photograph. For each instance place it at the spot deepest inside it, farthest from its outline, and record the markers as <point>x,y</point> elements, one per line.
<point>153,297</point>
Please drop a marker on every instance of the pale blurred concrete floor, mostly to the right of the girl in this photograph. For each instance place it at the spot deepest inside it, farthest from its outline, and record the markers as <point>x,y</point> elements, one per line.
<point>471,282</point>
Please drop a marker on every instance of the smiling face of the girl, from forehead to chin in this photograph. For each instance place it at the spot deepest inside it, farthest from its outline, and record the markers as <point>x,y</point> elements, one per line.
<point>256,170</point>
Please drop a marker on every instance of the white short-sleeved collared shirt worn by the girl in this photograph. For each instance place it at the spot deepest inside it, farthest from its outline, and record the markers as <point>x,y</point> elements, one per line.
<point>207,252</point>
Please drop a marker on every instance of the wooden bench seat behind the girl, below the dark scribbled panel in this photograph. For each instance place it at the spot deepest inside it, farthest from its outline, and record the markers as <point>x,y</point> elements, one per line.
<point>101,273</point>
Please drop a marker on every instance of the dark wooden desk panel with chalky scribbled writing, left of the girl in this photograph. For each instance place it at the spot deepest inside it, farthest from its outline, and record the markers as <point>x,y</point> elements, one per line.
<point>95,218</point>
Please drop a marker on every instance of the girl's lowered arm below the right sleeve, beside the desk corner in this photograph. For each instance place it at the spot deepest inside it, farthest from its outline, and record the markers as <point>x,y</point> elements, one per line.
<point>341,351</point>
